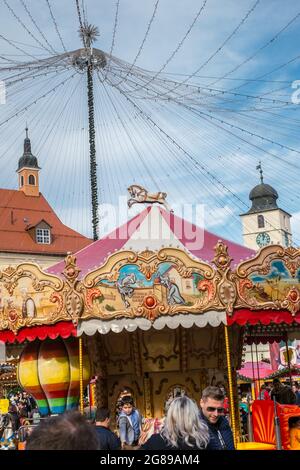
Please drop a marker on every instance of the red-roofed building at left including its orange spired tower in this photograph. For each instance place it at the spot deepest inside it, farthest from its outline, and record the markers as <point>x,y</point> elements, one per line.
<point>29,228</point>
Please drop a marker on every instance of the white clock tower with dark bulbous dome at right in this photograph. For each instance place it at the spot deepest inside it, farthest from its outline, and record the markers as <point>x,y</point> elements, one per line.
<point>265,223</point>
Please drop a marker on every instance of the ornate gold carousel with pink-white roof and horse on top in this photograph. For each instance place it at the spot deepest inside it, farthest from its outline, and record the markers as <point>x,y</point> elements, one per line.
<point>158,307</point>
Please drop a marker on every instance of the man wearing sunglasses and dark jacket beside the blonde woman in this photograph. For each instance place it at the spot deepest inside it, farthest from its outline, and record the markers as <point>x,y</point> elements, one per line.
<point>212,413</point>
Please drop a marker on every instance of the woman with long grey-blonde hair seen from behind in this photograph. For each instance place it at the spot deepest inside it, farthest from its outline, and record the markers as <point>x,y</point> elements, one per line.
<point>182,429</point>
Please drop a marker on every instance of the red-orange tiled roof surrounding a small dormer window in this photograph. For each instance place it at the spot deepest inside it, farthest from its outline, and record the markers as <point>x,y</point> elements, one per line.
<point>18,212</point>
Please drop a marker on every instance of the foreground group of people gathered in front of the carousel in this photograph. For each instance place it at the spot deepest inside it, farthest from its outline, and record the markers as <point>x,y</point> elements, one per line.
<point>186,426</point>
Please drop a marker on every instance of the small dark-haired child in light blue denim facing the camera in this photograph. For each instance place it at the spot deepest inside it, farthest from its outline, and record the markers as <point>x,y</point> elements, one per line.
<point>130,423</point>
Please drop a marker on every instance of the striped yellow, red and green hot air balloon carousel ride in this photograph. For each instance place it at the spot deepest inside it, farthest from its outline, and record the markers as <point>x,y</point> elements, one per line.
<point>49,371</point>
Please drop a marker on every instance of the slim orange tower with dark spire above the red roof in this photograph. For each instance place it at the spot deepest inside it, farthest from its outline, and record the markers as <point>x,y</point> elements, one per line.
<point>28,170</point>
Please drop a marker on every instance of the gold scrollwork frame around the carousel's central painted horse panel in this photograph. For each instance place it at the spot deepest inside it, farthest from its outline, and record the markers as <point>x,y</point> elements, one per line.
<point>153,303</point>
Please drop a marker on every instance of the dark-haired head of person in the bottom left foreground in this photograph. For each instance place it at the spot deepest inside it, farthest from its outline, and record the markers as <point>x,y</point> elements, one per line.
<point>69,431</point>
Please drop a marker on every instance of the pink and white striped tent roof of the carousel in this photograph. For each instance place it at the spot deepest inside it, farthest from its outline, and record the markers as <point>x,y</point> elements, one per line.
<point>152,229</point>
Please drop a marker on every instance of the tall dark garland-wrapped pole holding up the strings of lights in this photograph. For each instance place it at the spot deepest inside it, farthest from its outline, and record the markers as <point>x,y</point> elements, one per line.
<point>93,164</point>
